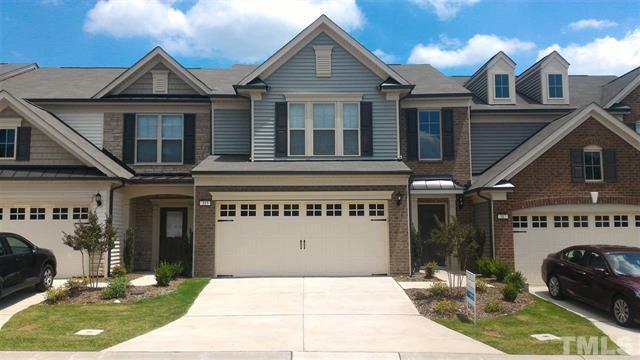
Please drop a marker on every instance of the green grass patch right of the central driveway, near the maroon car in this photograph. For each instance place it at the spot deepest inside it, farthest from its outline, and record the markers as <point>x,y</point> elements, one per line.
<point>512,333</point>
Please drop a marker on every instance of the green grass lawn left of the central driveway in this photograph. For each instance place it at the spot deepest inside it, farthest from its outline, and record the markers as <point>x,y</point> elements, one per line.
<point>45,327</point>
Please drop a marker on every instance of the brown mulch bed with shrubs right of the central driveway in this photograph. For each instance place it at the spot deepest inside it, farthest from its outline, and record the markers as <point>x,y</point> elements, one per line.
<point>425,301</point>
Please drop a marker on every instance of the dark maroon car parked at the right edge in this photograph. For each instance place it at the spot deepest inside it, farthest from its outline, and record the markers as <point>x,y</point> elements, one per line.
<point>604,276</point>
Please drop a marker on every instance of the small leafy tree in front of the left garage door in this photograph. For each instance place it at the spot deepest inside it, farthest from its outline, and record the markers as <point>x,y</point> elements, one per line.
<point>94,239</point>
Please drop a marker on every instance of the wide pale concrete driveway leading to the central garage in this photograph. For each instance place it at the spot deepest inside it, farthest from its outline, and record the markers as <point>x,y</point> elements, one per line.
<point>370,314</point>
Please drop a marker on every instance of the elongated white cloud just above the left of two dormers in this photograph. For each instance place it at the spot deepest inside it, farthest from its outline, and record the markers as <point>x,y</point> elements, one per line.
<point>477,50</point>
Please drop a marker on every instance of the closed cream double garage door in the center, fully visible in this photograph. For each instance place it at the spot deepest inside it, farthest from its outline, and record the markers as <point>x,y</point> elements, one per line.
<point>301,238</point>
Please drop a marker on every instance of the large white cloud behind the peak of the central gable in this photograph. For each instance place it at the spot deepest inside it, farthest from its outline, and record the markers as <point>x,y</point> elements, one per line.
<point>239,30</point>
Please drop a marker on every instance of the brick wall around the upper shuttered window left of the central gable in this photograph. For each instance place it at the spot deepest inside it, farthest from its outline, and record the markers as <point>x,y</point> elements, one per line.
<point>112,141</point>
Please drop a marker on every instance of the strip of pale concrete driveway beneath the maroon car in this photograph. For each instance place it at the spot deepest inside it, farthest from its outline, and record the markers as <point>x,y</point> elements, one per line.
<point>628,339</point>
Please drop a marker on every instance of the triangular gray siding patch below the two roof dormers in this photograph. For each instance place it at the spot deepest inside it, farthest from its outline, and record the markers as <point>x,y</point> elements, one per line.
<point>491,141</point>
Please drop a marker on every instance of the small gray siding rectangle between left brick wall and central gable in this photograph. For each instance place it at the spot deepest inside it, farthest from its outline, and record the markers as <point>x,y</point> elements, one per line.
<point>232,131</point>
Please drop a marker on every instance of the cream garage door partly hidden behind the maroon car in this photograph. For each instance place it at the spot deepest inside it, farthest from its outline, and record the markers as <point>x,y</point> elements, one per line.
<point>541,231</point>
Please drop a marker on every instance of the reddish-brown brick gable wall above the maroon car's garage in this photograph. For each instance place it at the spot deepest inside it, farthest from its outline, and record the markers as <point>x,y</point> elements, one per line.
<point>547,181</point>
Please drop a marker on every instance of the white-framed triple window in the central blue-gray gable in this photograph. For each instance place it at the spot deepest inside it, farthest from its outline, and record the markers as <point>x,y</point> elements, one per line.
<point>324,129</point>
